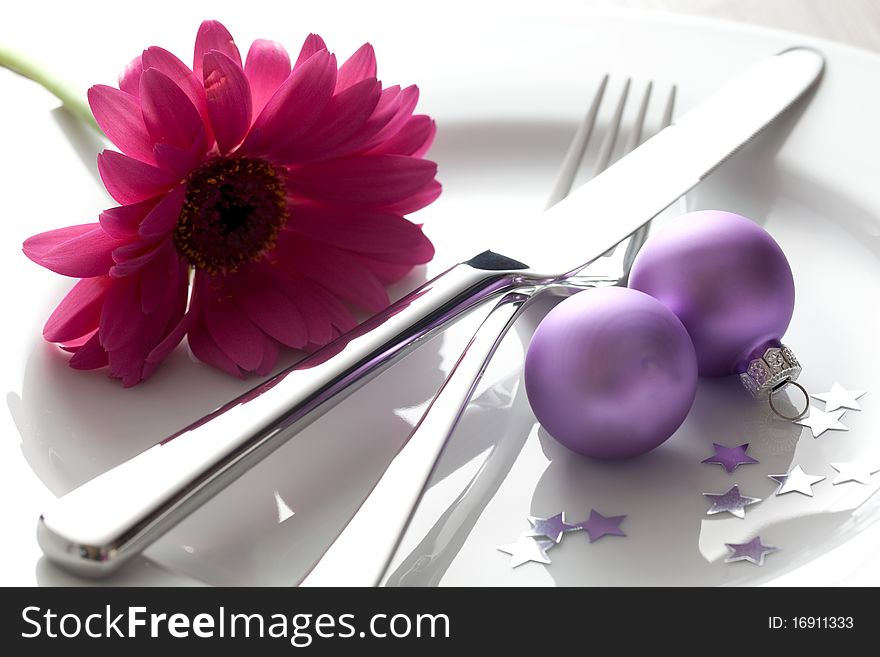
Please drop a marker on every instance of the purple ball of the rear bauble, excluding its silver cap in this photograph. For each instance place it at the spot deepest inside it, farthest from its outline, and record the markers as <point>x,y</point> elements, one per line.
<point>726,279</point>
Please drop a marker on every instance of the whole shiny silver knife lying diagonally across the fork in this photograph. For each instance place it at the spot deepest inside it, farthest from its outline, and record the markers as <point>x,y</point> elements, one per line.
<point>99,526</point>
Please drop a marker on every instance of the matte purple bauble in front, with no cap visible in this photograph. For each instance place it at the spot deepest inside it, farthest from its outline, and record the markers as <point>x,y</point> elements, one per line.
<point>611,373</point>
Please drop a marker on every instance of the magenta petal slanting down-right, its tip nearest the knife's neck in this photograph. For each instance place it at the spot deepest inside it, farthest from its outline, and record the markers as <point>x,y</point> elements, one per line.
<point>335,269</point>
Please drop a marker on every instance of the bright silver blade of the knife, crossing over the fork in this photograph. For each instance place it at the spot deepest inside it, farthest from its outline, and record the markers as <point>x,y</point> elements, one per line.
<point>625,196</point>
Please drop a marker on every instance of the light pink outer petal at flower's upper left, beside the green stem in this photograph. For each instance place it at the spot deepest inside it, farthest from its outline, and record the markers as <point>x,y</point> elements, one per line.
<point>119,115</point>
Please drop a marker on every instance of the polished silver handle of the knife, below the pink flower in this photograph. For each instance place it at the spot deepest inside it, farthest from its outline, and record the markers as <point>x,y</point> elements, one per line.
<point>97,527</point>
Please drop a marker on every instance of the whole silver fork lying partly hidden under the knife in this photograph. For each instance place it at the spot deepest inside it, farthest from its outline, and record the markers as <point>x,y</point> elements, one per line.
<point>361,554</point>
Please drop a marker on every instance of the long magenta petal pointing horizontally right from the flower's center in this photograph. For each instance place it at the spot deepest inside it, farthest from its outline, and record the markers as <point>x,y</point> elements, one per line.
<point>366,180</point>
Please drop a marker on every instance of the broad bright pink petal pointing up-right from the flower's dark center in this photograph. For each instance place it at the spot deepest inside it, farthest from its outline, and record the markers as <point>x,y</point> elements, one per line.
<point>295,106</point>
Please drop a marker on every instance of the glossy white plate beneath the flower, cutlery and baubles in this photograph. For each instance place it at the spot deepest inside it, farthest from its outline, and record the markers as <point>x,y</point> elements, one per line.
<point>507,92</point>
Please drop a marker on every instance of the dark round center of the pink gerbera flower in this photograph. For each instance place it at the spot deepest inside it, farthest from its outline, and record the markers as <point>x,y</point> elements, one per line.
<point>233,210</point>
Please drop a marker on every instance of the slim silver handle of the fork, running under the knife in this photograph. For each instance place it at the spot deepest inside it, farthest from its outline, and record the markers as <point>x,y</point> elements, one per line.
<point>362,552</point>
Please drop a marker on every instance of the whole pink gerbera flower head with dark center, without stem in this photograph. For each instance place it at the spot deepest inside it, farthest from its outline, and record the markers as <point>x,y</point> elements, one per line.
<point>275,194</point>
